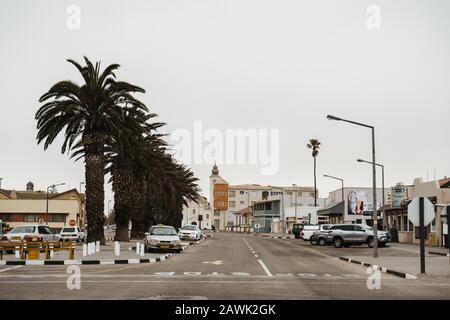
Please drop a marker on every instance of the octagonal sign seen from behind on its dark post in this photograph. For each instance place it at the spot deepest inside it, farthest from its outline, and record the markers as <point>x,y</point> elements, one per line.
<point>421,213</point>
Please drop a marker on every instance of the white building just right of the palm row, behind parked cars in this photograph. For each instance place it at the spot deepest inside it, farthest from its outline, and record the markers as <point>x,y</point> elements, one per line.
<point>198,213</point>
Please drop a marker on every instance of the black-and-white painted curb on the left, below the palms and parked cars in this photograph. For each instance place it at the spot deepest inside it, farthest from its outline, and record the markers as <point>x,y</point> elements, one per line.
<point>82,262</point>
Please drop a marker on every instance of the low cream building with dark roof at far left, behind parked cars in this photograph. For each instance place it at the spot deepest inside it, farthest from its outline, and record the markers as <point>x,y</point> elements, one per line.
<point>25,207</point>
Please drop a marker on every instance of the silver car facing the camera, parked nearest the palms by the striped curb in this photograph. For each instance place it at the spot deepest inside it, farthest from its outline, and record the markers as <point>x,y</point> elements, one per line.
<point>161,237</point>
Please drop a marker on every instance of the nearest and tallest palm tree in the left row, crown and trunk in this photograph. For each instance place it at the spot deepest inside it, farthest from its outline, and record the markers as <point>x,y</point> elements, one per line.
<point>89,115</point>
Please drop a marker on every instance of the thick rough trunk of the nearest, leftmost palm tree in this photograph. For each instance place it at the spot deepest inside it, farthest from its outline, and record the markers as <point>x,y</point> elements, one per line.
<point>95,191</point>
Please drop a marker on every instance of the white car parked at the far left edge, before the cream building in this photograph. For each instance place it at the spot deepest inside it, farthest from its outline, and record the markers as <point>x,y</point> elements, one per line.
<point>32,232</point>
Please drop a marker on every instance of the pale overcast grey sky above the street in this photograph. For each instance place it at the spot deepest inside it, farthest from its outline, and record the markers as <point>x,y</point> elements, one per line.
<point>254,64</point>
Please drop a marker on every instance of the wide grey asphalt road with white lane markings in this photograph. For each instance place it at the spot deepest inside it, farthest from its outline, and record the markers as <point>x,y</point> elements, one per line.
<point>227,266</point>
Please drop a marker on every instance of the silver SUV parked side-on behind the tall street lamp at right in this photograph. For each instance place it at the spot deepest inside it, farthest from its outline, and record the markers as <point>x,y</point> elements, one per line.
<point>344,235</point>
